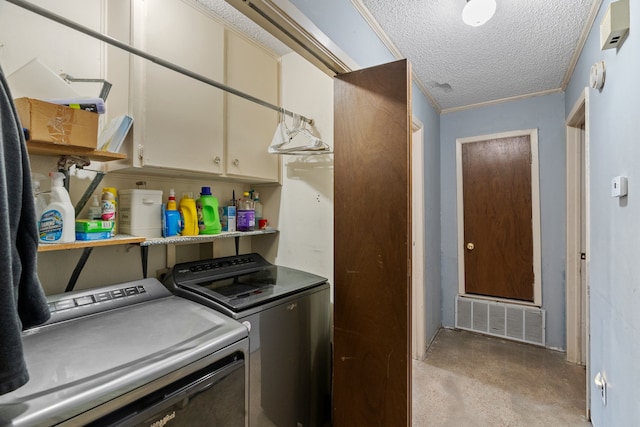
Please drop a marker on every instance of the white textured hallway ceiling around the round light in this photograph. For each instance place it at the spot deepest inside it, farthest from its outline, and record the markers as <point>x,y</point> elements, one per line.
<point>526,48</point>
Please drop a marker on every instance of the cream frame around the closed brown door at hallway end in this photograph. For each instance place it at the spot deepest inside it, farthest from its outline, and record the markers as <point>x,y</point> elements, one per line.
<point>535,208</point>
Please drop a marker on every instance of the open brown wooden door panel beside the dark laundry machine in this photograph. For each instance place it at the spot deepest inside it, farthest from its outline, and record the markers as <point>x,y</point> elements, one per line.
<point>372,238</point>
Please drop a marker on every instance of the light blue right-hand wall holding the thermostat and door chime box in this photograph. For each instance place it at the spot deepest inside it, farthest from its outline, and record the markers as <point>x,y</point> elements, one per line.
<point>614,268</point>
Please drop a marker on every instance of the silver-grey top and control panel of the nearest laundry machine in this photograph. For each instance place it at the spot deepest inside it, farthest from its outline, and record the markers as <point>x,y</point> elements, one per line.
<point>78,363</point>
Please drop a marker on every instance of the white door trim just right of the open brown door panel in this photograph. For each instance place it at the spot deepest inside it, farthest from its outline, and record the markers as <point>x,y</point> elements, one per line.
<point>418,315</point>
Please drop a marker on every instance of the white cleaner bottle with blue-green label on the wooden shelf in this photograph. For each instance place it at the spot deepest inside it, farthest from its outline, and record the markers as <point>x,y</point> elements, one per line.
<point>57,223</point>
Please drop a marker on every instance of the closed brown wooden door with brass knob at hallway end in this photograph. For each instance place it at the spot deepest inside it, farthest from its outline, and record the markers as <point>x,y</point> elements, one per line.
<point>498,227</point>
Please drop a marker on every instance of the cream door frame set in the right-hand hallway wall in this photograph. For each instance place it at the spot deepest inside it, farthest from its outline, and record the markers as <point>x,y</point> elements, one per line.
<point>574,291</point>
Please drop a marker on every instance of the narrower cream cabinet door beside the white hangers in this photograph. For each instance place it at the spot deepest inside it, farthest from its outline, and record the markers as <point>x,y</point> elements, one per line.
<point>250,126</point>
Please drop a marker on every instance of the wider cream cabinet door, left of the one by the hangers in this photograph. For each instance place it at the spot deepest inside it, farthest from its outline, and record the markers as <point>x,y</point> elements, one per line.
<point>178,120</point>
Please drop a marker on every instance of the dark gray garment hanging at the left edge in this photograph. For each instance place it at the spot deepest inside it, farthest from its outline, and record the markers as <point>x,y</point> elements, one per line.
<point>22,301</point>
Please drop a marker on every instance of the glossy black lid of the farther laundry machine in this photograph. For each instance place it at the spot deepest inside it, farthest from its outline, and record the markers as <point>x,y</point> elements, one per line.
<point>255,288</point>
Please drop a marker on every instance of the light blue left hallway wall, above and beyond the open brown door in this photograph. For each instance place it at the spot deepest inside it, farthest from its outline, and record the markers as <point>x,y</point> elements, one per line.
<point>343,24</point>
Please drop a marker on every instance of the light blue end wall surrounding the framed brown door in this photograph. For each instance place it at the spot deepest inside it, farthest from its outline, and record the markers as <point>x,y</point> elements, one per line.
<point>545,113</point>
